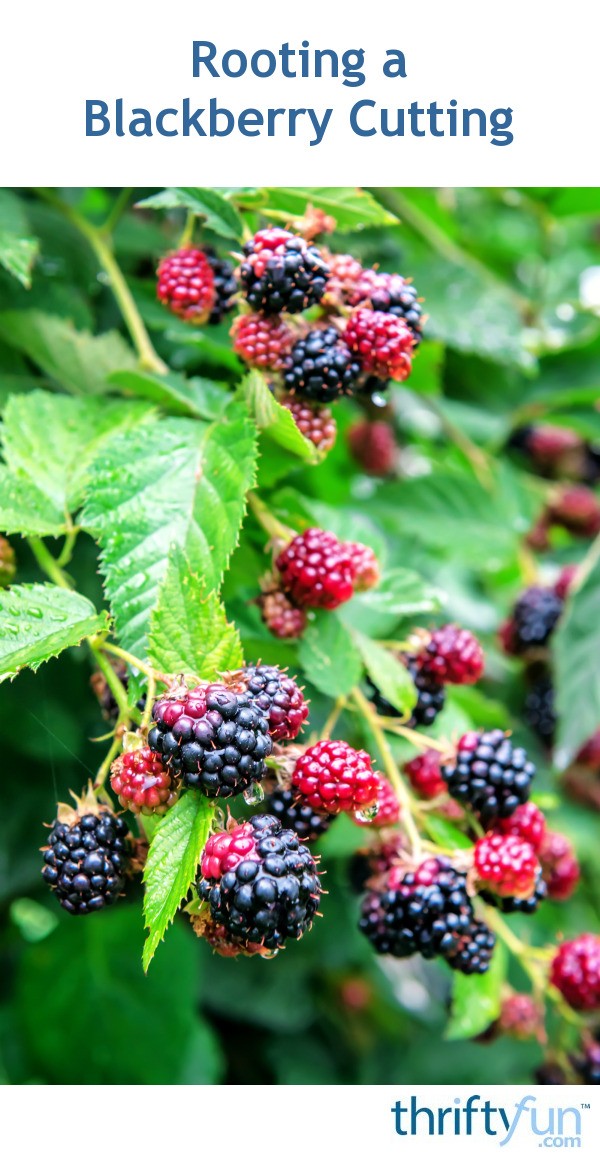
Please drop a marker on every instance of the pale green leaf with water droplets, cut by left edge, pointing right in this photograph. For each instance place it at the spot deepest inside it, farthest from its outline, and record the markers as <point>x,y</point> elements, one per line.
<point>38,621</point>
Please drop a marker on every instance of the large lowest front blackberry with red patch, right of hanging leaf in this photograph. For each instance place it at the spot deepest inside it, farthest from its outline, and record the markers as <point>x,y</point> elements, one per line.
<point>261,883</point>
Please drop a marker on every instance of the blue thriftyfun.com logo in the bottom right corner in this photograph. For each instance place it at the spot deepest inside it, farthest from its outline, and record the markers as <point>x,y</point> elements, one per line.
<point>551,1126</point>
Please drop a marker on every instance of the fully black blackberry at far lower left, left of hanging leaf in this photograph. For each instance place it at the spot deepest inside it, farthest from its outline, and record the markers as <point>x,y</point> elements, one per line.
<point>86,857</point>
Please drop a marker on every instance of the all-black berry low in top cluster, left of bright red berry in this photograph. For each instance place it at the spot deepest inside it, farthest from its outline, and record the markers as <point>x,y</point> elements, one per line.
<point>321,368</point>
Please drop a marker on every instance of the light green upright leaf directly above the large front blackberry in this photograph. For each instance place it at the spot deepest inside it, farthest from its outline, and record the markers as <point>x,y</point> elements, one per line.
<point>189,631</point>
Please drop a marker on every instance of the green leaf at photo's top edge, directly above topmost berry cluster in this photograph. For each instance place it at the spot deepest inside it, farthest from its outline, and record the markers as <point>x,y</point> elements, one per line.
<point>354,209</point>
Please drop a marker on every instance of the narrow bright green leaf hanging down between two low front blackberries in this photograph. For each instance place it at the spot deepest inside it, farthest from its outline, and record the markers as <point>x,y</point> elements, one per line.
<point>173,860</point>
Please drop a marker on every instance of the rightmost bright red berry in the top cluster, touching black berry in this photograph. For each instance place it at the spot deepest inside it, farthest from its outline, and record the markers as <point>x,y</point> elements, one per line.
<point>383,343</point>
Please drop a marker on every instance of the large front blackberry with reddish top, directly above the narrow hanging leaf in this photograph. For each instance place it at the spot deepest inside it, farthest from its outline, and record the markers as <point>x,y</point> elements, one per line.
<point>216,737</point>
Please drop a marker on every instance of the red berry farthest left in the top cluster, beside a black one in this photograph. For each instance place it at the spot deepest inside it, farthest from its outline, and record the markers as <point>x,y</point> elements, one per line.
<point>186,285</point>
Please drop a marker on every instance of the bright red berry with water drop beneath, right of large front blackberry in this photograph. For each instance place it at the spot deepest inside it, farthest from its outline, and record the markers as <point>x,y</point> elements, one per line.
<point>335,778</point>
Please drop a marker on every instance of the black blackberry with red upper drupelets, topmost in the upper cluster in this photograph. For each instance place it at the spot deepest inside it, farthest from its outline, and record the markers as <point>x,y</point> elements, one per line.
<point>282,273</point>
